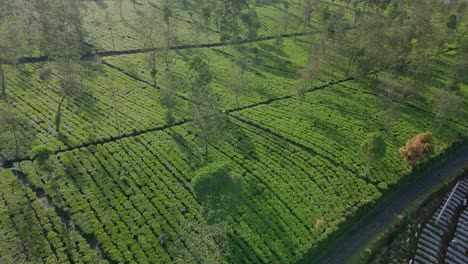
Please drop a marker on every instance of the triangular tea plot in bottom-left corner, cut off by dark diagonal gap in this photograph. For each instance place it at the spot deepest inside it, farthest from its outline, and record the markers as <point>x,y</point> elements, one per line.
<point>35,233</point>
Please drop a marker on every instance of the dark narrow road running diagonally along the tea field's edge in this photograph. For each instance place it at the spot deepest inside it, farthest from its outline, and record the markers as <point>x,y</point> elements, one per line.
<point>350,242</point>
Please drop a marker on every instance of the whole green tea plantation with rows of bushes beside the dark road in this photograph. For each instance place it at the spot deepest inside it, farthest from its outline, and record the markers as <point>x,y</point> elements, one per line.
<point>129,189</point>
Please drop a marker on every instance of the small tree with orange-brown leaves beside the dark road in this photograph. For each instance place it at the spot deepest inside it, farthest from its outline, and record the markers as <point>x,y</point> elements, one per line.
<point>418,148</point>
